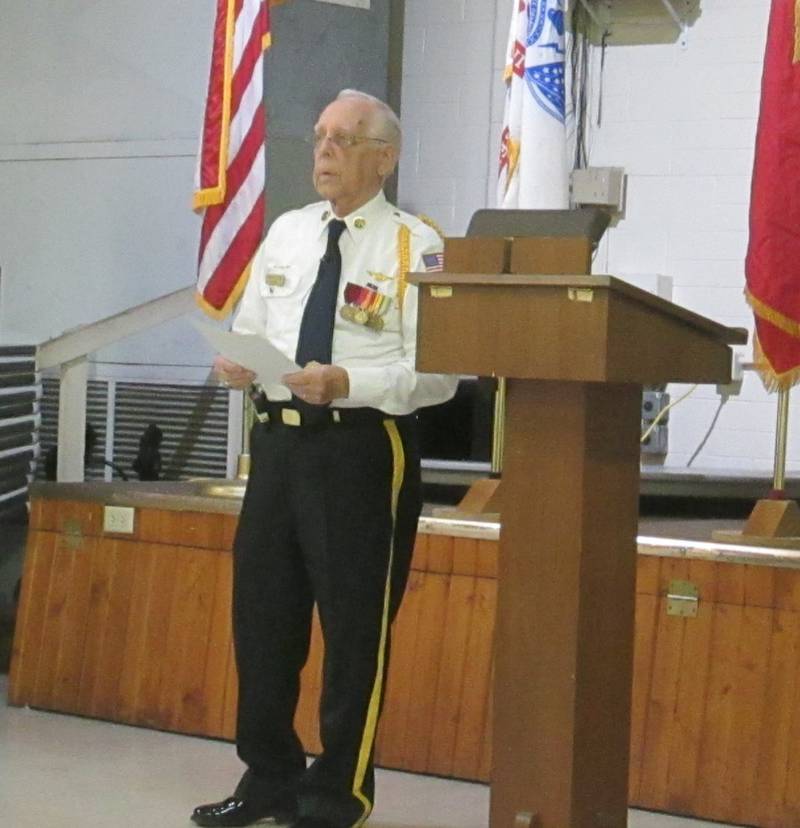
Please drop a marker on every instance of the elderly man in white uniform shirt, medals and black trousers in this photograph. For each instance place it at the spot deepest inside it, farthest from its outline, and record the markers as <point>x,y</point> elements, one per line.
<point>332,502</point>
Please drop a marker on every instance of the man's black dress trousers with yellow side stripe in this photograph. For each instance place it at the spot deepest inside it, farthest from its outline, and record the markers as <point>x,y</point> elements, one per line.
<point>329,516</point>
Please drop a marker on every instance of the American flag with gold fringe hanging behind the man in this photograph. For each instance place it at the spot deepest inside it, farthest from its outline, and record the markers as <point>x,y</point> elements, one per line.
<point>231,162</point>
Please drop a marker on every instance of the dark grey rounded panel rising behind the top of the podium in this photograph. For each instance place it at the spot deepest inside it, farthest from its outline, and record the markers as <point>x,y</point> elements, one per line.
<point>584,222</point>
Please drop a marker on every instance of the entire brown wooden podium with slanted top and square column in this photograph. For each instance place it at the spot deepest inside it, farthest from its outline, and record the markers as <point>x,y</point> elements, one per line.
<point>576,351</point>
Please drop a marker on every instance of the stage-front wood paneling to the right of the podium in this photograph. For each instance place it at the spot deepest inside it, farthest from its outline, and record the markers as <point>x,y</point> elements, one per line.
<point>716,701</point>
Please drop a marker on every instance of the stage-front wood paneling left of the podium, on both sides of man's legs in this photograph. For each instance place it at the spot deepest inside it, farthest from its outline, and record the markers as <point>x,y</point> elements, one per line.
<point>138,630</point>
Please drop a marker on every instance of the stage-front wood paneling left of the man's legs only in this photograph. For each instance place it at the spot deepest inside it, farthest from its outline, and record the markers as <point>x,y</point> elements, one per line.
<point>132,630</point>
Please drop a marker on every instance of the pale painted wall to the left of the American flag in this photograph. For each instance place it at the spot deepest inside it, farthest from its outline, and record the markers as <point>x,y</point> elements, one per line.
<point>101,107</point>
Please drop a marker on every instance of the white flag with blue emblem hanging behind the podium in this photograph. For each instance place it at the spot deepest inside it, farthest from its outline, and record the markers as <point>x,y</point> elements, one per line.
<point>533,151</point>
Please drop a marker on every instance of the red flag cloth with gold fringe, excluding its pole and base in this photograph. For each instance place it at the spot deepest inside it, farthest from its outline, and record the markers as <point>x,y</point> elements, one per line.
<point>773,255</point>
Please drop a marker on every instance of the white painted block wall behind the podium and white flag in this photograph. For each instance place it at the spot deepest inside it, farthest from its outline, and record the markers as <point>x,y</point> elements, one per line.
<point>680,118</point>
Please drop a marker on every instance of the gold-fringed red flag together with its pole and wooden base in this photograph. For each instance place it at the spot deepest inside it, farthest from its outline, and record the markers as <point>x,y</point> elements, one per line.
<point>771,270</point>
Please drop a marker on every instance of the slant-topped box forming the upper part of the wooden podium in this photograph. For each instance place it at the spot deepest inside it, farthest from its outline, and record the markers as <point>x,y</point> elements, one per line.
<point>565,327</point>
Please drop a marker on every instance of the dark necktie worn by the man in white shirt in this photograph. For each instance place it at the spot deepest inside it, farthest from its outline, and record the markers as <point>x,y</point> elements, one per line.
<point>315,340</point>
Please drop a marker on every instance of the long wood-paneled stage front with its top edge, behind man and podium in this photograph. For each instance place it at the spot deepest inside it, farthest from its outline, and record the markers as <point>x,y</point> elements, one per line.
<point>136,629</point>
